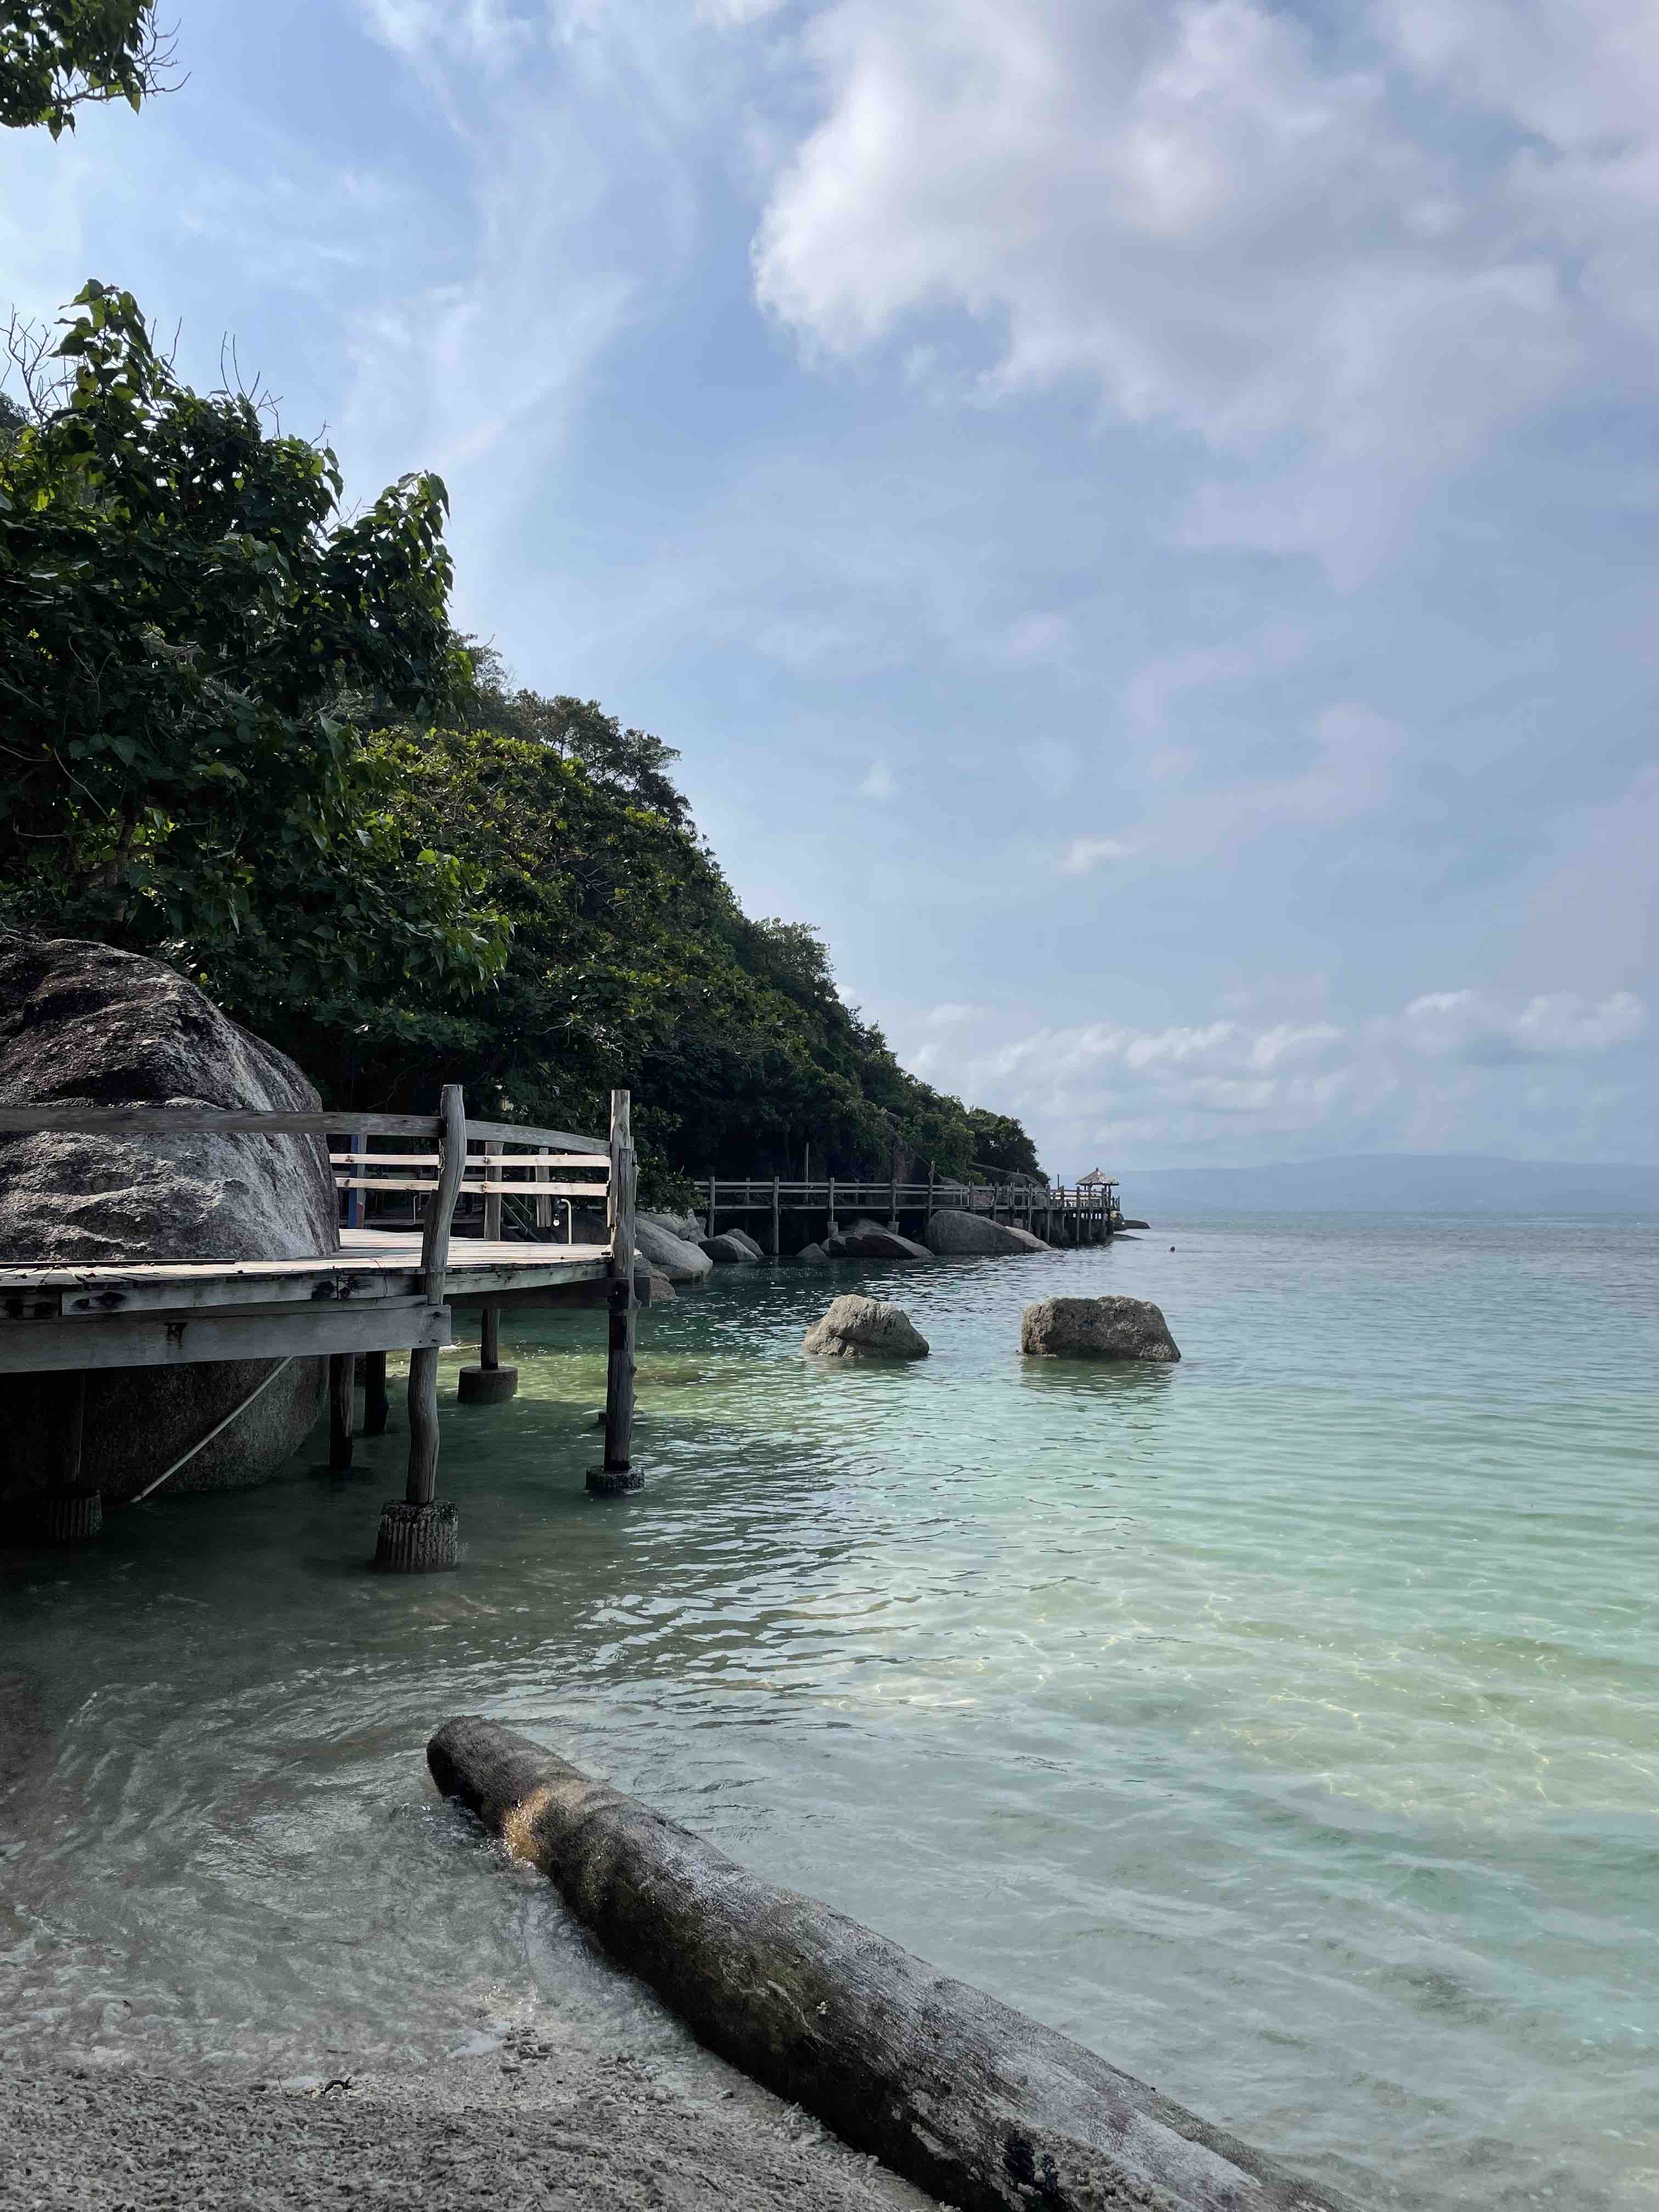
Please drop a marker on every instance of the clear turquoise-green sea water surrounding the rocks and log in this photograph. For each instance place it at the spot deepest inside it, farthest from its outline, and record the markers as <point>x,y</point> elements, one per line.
<point>1282,1724</point>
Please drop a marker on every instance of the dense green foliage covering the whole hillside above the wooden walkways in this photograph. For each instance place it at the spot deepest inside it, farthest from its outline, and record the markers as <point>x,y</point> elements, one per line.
<point>240,733</point>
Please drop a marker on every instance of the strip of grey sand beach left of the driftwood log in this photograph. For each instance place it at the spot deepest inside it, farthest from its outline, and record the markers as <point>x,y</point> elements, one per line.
<point>543,2120</point>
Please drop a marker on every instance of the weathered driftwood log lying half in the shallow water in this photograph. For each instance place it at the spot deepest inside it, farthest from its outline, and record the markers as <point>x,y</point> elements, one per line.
<point>952,2089</point>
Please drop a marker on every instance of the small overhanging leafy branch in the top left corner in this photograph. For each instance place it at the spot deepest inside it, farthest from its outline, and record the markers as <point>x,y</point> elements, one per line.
<point>65,54</point>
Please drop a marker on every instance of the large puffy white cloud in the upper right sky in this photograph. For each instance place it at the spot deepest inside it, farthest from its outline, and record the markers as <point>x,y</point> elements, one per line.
<point>1227,222</point>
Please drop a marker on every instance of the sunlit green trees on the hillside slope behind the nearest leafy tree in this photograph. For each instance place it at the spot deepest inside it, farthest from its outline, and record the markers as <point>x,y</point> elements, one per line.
<point>632,966</point>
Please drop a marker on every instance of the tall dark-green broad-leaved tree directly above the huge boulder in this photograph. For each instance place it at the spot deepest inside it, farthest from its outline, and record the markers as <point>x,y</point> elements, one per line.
<point>194,645</point>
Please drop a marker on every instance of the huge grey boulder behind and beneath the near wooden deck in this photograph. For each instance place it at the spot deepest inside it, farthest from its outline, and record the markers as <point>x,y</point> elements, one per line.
<point>94,1027</point>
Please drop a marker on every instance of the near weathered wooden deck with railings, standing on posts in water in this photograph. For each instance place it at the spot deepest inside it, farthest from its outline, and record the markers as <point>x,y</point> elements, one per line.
<point>379,1293</point>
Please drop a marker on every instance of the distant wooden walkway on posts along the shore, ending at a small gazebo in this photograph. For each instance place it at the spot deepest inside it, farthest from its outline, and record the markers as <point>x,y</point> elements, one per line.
<point>1078,1215</point>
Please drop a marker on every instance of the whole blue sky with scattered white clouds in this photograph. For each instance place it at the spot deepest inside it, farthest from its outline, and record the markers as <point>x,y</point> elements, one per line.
<point>1140,517</point>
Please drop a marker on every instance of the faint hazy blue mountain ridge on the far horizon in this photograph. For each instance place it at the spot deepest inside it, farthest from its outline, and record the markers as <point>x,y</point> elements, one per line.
<point>1397,1185</point>
